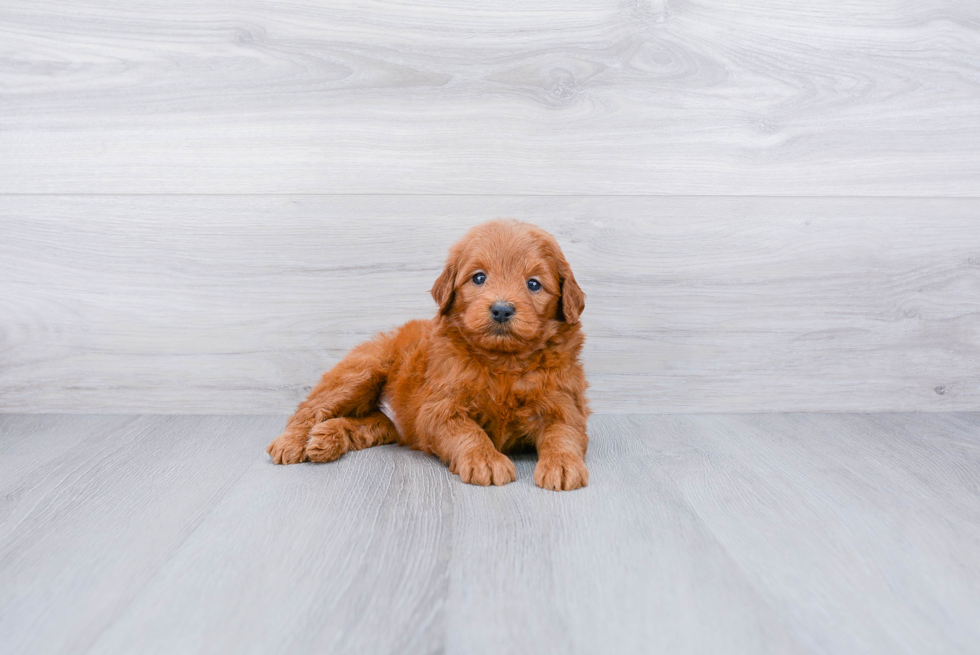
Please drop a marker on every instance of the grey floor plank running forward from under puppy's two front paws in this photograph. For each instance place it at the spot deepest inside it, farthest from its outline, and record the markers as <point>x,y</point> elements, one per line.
<point>624,567</point>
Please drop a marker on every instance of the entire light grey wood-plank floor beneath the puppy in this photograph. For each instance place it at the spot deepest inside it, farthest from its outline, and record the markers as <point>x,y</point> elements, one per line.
<point>782,533</point>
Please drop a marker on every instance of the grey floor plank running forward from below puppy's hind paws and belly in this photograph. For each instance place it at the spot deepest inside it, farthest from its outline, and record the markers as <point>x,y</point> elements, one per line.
<point>350,558</point>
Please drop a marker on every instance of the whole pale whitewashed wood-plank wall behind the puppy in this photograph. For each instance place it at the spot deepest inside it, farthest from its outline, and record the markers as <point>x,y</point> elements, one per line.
<point>772,205</point>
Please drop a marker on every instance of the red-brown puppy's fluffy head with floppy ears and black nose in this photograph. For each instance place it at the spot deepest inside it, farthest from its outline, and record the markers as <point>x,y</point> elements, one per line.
<point>507,286</point>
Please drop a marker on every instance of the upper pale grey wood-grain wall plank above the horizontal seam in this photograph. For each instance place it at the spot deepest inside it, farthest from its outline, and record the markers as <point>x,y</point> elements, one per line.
<point>765,97</point>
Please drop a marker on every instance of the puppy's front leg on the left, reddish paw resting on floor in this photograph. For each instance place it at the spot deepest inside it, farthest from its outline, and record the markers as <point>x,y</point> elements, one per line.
<point>466,448</point>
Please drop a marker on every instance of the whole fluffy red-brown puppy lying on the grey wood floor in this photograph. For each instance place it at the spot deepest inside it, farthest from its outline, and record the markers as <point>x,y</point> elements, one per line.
<point>496,369</point>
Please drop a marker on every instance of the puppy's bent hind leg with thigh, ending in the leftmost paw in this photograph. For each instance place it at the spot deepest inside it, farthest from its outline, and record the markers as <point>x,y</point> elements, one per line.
<point>351,387</point>
